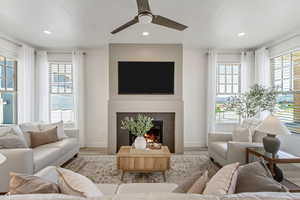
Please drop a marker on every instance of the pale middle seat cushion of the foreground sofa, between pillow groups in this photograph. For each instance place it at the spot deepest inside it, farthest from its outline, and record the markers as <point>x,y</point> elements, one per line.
<point>146,188</point>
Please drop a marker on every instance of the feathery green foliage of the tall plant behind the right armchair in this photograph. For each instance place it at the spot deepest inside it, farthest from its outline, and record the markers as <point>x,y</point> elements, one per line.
<point>251,103</point>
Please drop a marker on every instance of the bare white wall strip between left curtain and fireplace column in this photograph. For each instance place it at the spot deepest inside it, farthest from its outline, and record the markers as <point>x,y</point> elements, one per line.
<point>96,101</point>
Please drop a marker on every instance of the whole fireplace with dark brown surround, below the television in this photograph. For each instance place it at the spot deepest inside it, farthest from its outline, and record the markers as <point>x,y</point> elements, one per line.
<point>162,132</point>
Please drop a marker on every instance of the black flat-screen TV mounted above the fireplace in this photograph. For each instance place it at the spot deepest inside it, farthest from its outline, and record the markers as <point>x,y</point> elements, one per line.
<point>146,77</point>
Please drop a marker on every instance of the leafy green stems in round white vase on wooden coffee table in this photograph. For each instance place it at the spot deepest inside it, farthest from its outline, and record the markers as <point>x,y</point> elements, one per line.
<point>138,126</point>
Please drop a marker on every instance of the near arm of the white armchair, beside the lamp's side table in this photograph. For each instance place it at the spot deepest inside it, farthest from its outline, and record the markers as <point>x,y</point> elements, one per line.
<point>237,151</point>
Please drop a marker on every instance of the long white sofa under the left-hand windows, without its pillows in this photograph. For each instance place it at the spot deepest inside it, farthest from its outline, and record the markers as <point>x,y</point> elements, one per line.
<point>30,161</point>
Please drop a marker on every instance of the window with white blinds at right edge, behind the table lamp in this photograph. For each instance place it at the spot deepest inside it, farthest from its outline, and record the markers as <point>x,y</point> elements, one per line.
<point>286,78</point>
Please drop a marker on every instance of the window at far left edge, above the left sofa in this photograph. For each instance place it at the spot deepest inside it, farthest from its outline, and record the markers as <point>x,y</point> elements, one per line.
<point>8,90</point>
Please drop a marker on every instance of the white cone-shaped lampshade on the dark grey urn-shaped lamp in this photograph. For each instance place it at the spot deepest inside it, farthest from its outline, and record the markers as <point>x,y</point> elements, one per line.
<point>272,125</point>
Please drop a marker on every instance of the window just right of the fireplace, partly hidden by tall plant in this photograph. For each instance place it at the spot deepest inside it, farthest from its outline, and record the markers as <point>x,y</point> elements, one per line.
<point>228,84</point>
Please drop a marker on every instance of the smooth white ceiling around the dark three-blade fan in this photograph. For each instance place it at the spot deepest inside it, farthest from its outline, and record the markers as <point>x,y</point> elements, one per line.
<point>88,23</point>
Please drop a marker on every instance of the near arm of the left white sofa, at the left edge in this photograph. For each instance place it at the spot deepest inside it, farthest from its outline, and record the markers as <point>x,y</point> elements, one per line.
<point>17,160</point>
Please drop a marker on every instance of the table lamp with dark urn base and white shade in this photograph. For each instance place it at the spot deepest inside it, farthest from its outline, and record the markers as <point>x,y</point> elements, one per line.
<point>273,127</point>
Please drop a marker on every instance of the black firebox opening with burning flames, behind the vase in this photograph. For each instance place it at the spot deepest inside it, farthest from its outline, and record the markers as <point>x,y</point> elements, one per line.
<point>154,135</point>
